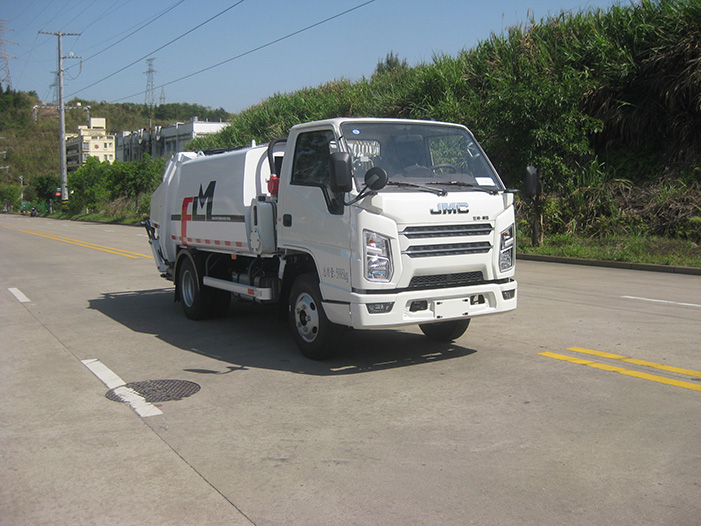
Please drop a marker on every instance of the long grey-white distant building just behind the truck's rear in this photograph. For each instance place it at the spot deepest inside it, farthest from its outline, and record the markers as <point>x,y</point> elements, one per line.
<point>162,141</point>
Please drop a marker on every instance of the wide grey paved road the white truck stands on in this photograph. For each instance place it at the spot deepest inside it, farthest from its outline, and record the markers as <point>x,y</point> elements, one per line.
<point>515,423</point>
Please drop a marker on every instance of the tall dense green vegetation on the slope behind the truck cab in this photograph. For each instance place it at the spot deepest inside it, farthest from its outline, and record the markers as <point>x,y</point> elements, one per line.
<point>606,104</point>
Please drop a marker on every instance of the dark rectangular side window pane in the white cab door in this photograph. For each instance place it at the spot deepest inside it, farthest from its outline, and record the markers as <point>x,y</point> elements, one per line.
<point>311,162</point>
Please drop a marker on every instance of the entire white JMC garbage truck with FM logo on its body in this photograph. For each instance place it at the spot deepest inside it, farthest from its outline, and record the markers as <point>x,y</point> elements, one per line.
<point>363,223</point>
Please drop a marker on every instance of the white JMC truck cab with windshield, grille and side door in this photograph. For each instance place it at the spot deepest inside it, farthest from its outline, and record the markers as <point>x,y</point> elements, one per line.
<point>434,246</point>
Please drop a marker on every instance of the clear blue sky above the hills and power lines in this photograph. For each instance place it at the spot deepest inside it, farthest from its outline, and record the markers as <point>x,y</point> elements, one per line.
<point>348,46</point>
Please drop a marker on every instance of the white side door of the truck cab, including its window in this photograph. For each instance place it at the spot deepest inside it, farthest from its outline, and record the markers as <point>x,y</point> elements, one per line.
<point>311,216</point>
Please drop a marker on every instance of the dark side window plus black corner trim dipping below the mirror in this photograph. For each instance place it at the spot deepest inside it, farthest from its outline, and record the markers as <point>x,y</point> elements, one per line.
<point>311,166</point>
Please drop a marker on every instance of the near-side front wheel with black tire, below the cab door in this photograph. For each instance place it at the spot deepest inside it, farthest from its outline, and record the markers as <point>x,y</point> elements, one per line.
<point>314,334</point>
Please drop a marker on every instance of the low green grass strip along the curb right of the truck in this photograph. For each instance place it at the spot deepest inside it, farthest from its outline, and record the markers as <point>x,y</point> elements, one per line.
<point>630,249</point>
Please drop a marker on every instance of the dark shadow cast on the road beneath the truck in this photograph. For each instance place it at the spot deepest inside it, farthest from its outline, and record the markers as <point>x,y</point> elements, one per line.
<point>252,335</point>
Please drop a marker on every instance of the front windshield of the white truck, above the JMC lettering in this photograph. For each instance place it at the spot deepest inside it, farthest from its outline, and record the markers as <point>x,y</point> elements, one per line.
<point>421,153</point>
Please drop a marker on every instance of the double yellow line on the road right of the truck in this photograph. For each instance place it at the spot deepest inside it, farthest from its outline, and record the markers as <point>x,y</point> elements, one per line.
<point>630,372</point>
